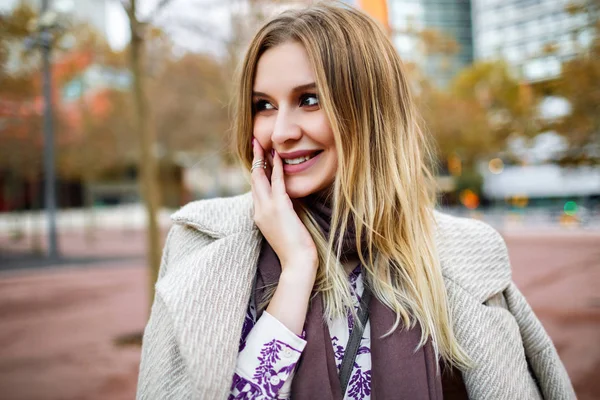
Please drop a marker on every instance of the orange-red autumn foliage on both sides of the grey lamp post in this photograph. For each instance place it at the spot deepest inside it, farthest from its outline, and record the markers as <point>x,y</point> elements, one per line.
<point>87,129</point>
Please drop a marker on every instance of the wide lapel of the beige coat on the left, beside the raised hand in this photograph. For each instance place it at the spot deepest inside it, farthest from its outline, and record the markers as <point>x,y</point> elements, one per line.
<point>206,290</point>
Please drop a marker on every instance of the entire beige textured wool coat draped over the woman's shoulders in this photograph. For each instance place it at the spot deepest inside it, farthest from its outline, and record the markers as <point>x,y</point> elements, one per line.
<point>191,340</point>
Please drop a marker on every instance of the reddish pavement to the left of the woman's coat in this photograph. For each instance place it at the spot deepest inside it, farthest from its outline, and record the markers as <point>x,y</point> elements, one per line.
<point>58,332</point>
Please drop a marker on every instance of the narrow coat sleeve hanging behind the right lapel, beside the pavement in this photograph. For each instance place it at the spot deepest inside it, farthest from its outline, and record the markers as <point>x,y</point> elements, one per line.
<point>541,354</point>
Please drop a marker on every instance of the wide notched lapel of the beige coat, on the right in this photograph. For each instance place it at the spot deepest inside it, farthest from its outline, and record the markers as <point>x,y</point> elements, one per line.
<point>475,267</point>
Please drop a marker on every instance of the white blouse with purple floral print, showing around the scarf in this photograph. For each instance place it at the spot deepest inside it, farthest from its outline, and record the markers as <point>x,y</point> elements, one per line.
<point>269,353</point>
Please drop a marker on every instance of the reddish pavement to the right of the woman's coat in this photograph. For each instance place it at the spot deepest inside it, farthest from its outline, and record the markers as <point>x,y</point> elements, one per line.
<point>560,276</point>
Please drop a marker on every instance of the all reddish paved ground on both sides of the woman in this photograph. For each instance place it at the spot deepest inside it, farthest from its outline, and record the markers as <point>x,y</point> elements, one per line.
<point>59,325</point>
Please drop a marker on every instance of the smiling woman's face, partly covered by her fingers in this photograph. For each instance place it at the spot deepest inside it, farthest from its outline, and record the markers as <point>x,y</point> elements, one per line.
<point>289,119</point>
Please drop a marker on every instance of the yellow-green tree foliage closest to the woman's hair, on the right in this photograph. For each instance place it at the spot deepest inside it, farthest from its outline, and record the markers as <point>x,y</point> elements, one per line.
<point>477,113</point>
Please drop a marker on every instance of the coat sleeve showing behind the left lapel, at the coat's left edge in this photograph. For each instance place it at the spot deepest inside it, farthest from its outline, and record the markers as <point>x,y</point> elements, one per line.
<point>162,374</point>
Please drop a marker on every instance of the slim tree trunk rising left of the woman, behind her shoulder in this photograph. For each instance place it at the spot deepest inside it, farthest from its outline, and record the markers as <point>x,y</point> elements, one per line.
<point>147,161</point>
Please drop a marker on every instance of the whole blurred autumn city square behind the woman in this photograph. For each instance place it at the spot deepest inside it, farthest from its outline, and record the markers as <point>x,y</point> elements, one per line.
<point>115,113</point>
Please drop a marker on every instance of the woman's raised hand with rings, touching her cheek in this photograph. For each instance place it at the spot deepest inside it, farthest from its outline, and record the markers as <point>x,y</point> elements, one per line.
<point>276,218</point>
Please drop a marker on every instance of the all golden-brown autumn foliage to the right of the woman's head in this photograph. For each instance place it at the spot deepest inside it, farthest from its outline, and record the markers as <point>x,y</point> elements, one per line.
<point>486,105</point>
